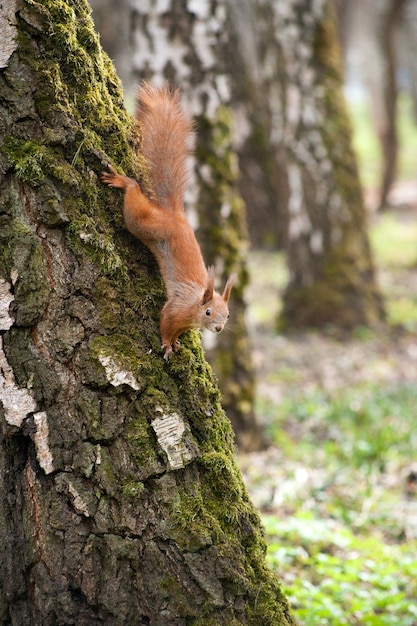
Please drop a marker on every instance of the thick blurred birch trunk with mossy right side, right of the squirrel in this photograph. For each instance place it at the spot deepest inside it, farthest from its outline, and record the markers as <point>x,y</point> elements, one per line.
<point>331,271</point>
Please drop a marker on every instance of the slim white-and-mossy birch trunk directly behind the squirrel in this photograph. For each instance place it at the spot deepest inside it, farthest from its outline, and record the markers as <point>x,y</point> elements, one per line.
<point>187,45</point>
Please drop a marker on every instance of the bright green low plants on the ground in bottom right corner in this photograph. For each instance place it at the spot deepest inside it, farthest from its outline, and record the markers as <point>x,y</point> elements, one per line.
<point>334,577</point>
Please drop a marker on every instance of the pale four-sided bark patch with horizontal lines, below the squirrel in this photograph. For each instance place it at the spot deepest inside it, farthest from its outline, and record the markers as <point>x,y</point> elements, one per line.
<point>169,429</point>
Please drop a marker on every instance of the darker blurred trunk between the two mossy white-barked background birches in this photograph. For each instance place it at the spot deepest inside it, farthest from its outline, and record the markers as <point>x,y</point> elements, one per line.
<point>255,64</point>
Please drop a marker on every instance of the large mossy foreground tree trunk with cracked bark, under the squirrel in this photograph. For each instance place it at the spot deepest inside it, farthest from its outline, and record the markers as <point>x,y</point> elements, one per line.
<point>120,502</point>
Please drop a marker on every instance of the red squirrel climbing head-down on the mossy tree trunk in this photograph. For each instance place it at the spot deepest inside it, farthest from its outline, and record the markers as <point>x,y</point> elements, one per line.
<point>158,219</point>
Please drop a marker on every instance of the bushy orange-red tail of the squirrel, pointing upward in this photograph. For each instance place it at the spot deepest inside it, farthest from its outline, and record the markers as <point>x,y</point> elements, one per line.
<point>166,143</point>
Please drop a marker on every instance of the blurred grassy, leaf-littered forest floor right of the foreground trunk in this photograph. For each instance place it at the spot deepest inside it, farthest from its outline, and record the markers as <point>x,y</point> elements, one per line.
<point>337,486</point>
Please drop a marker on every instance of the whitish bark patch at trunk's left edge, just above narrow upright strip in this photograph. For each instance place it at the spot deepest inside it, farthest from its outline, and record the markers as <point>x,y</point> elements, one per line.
<point>17,402</point>
